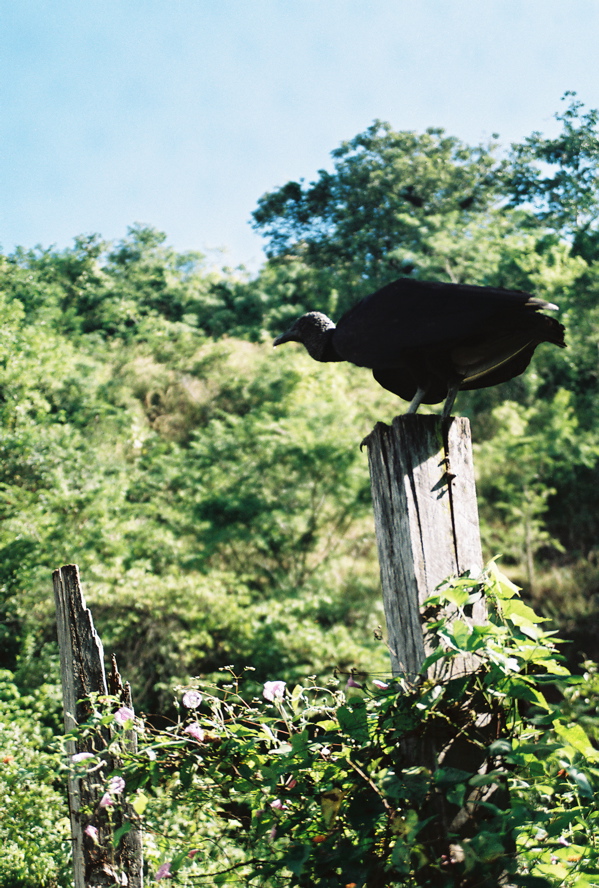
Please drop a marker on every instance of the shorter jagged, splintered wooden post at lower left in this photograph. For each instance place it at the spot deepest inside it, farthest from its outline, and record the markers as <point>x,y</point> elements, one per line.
<point>95,861</point>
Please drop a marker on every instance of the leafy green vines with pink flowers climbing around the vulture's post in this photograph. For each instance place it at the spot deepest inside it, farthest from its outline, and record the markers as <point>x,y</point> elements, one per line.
<point>452,779</point>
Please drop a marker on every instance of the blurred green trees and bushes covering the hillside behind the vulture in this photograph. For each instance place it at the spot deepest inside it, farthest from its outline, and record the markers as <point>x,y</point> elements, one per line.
<point>213,491</point>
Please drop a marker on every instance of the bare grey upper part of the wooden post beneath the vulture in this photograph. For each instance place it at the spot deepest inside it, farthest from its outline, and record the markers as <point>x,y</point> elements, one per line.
<point>426,518</point>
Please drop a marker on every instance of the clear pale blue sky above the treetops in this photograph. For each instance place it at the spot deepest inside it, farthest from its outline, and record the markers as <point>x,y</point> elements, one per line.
<point>182,113</point>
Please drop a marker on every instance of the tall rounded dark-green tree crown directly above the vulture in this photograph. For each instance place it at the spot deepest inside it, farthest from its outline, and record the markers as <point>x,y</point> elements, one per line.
<point>377,215</point>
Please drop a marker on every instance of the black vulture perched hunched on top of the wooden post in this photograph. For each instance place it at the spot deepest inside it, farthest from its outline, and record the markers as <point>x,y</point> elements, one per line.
<point>424,341</point>
